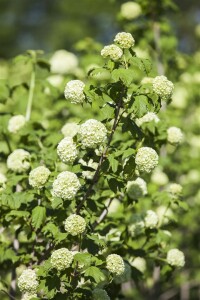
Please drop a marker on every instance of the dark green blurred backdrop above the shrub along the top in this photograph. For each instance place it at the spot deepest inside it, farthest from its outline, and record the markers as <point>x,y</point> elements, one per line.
<point>50,25</point>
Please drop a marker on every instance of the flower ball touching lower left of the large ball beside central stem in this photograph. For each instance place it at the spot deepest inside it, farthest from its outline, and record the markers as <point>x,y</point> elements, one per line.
<point>67,151</point>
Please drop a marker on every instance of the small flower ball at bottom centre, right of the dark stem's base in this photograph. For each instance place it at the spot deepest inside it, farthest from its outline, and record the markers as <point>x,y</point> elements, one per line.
<point>115,264</point>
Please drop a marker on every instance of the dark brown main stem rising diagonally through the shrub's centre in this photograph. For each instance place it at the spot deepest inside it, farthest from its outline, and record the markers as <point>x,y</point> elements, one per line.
<point>102,158</point>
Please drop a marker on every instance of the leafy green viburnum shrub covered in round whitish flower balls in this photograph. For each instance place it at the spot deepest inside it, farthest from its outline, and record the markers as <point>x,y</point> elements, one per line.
<point>78,220</point>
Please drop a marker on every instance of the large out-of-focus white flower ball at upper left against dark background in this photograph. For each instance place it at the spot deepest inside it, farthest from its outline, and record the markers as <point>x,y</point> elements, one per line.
<point>63,62</point>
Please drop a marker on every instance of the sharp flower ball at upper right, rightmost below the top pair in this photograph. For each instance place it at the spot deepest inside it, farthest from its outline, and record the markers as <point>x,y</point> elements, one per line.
<point>163,87</point>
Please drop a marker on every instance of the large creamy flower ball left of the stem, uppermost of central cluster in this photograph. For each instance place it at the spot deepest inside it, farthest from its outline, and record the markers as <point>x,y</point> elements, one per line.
<point>92,133</point>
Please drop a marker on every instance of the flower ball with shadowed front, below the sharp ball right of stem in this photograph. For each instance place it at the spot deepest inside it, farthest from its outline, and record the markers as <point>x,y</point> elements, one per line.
<point>137,188</point>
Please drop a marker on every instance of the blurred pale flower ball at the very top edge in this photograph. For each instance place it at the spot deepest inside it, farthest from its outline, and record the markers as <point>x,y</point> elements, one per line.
<point>130,10</point>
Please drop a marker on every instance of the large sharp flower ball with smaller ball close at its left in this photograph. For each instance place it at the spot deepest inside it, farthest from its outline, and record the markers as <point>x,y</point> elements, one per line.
<point>66,185</point>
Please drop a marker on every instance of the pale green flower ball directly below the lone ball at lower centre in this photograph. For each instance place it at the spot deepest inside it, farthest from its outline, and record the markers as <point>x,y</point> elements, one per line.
<point>61,259</point>
